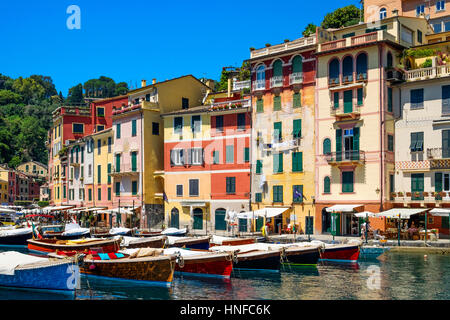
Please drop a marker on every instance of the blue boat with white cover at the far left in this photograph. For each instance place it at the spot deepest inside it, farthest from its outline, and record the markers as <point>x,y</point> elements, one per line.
<point>22,271</point>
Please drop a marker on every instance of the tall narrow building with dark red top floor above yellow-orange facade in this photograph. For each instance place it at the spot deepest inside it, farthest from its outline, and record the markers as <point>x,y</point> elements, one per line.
<point>283,111</point>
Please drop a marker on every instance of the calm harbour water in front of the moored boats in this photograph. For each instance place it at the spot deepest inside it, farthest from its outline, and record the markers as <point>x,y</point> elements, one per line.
<point>401,276</point>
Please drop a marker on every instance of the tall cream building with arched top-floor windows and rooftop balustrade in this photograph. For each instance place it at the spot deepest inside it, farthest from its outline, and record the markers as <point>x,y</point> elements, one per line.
<point>354,119</point>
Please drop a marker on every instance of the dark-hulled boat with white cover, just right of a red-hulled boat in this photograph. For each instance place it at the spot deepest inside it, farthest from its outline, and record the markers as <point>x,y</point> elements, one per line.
<point>253,257</point>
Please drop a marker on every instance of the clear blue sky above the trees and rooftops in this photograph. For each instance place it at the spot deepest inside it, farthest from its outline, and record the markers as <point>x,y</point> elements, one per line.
<point>145,39</point>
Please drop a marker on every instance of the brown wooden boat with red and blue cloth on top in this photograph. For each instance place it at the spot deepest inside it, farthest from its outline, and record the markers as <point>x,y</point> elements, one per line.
<point>151,268</point>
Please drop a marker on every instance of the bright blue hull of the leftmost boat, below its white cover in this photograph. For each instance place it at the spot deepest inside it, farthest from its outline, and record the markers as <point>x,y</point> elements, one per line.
<point>54,277</point>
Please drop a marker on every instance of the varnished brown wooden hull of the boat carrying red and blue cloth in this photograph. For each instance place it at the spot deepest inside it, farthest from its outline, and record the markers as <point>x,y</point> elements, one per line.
<point>151,270</point>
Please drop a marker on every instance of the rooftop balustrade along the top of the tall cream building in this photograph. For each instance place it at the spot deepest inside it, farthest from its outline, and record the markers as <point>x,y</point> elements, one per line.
<point>366,38</point>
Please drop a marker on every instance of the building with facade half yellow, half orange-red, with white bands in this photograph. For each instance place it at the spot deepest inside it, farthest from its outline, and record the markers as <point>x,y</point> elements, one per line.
<point>207,163</point>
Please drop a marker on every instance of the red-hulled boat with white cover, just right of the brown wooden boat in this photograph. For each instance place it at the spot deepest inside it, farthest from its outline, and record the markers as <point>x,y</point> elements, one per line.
<point>202,262</point>
